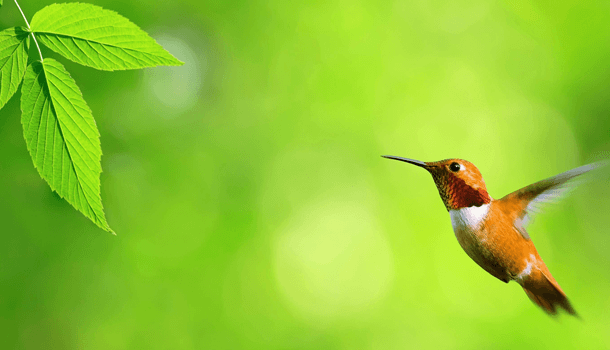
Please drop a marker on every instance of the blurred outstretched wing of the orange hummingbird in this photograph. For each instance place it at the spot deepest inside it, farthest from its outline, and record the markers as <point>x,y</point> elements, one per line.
<point>531,199</point>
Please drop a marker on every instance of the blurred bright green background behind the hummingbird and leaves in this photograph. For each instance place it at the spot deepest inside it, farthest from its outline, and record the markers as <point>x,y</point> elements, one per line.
<point>253,210</point>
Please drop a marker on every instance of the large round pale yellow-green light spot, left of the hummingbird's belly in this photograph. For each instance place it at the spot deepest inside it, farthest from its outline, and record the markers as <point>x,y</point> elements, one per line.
<point>332,261</point>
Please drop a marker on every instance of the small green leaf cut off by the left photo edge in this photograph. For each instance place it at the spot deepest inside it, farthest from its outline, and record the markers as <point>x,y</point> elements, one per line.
<point>14,44</point>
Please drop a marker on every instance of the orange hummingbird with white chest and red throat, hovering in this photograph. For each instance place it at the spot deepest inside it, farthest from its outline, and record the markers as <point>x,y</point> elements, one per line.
<point>492,232</point>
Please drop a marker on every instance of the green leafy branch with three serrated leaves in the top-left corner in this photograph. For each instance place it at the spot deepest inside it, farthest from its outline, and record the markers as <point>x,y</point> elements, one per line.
<point>73,172</point>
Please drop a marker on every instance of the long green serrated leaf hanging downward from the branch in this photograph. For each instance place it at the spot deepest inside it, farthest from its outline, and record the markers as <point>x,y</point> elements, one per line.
<point>62,137</point>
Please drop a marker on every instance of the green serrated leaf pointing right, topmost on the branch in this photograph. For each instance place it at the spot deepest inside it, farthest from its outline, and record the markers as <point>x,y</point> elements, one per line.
<point>98,38</point>
